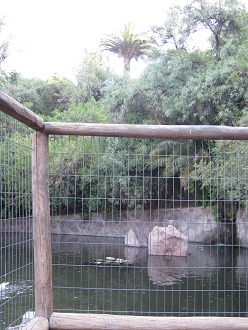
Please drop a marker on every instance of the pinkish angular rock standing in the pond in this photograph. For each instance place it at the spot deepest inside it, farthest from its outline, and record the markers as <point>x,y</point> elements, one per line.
<point>167,241</point>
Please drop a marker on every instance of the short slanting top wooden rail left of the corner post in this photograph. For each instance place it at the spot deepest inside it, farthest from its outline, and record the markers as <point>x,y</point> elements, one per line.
<point>19,112</point>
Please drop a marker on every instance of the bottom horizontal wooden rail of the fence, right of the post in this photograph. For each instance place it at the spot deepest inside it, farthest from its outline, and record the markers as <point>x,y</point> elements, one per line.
<point>69,321</point>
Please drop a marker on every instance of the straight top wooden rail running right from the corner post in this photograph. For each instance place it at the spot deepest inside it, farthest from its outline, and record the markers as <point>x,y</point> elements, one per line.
<point>149,131</point>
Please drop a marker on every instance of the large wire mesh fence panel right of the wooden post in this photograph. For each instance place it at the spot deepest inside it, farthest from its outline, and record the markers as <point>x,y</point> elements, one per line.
<point>149,227</point>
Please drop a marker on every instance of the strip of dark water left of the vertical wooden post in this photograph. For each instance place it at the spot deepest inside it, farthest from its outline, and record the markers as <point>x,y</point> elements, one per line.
<point>16,267</point>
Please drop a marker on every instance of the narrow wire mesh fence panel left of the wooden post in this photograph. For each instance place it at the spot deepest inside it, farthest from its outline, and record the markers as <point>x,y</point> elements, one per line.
<point>16,257</point>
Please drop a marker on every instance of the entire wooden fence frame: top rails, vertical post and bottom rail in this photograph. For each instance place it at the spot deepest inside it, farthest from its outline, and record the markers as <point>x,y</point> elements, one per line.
<point>44,317</point>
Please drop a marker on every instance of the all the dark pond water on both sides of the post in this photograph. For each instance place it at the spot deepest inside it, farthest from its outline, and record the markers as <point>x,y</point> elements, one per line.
<point>210,281</point>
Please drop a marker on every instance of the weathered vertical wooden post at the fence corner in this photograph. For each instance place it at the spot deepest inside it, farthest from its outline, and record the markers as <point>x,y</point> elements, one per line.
<point>41,226</point>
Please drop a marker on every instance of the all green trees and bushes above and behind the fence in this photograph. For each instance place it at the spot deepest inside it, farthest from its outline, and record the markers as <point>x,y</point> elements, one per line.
<point>182,84</point>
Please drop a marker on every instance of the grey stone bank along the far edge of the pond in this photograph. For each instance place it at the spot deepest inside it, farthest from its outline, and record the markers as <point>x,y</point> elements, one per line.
<point>197,224</point>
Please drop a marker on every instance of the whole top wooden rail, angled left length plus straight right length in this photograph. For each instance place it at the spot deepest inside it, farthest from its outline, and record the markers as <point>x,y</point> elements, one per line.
<point>29,118</point>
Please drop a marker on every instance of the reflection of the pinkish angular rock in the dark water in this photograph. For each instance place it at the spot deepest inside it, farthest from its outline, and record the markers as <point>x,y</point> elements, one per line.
<point>164,270</point>
